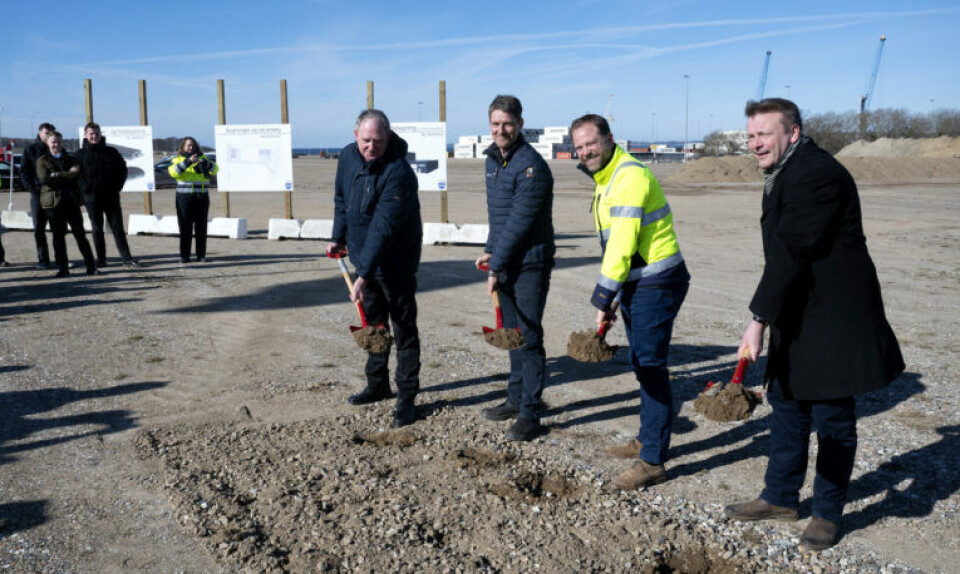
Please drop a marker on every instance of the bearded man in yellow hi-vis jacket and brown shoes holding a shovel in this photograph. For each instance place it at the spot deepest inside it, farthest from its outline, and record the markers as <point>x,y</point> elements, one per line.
<point>643,266</point>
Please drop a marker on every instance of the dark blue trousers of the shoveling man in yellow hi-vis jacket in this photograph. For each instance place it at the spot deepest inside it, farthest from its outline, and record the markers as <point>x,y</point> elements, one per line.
<point>648,314</point>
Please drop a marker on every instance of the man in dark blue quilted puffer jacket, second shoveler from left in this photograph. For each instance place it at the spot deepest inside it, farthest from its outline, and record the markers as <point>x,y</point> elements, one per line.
<point>519,252</point>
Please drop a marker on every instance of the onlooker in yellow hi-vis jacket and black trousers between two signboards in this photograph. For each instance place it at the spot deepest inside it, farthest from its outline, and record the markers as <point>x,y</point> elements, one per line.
<point>192,170</point>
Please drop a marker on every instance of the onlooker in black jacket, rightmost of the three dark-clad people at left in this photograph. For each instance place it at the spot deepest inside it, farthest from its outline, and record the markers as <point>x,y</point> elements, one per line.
<point>103,172</point>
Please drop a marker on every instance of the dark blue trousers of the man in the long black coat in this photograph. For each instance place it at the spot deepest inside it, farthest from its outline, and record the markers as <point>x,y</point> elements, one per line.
<point>790,425</point>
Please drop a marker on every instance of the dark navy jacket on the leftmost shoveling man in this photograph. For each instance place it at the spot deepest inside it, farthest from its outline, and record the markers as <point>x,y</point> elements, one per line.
<point>377,211</point>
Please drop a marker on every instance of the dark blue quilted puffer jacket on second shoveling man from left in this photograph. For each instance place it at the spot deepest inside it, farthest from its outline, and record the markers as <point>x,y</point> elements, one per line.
<point>519,208</point>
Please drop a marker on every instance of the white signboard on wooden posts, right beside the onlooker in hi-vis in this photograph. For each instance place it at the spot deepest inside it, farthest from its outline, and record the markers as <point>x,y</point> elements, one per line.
<point>254,157</point>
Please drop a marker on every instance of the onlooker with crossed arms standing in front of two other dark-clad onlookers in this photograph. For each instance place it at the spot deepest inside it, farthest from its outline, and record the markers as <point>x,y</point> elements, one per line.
<point>57,173</point>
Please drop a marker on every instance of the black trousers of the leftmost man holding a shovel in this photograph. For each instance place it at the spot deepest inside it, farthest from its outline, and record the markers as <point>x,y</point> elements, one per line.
<point>394,299</point>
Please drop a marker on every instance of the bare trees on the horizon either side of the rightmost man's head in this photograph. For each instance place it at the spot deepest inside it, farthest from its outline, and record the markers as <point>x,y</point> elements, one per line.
<point>835,130</point>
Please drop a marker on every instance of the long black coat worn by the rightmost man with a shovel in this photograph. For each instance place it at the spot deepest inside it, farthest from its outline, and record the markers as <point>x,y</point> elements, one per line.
<point>829,336</point>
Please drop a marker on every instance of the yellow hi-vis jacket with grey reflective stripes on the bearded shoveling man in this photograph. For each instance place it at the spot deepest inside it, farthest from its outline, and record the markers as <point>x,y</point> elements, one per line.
<point>634,223</point>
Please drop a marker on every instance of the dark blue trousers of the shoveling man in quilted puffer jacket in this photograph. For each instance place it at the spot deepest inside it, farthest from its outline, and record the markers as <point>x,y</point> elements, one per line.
<point>522,302</point>
